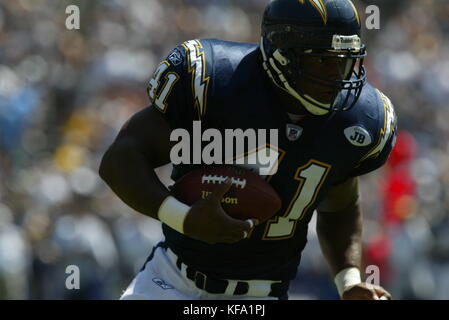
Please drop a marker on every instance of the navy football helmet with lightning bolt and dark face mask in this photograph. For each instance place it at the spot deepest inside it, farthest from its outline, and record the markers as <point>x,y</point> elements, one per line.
<point>312,50</point>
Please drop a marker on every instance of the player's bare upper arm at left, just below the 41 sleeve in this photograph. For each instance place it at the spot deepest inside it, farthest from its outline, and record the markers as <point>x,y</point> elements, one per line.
<point>148,132</point>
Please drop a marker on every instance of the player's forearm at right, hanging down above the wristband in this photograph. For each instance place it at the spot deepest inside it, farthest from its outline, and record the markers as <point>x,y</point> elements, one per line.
<point>340,236</point>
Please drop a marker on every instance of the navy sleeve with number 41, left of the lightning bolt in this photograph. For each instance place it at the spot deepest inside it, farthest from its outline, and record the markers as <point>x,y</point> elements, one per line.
<point>168,89</point>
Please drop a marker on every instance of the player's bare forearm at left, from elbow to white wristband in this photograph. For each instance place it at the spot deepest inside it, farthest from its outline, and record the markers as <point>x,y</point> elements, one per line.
<point>130,175</point>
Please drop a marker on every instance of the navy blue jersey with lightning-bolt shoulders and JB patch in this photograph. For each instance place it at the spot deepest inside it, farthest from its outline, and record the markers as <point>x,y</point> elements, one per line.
<point>224,85</point>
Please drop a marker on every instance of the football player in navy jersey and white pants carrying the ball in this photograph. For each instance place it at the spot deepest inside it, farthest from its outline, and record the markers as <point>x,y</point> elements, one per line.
<point>305,78</point>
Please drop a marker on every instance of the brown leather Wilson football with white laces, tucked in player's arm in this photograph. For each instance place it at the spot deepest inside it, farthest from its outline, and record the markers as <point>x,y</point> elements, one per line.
<point>249,196</point>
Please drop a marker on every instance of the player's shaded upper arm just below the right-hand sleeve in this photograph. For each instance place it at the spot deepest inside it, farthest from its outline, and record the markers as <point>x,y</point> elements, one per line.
<point>341,197</point>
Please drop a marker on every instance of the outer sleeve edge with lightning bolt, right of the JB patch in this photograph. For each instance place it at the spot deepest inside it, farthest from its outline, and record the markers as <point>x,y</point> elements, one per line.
<point>386,140</point>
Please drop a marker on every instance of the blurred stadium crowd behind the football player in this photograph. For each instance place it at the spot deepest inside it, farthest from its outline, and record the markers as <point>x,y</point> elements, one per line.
<point>65,94</point>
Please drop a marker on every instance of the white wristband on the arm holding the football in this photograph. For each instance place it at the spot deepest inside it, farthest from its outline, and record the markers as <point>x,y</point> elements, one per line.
<point>173,212</point>
